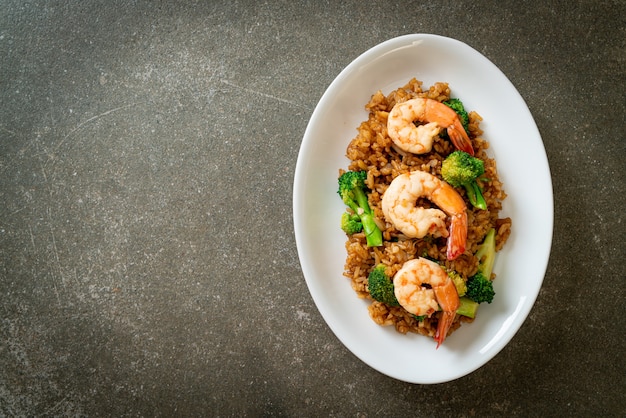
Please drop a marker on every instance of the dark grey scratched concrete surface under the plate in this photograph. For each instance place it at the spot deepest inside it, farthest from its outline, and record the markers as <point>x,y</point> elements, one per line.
<point>147,260</point>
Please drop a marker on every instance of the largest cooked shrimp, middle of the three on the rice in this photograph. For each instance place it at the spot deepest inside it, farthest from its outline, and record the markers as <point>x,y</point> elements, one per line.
<point>399,207</point>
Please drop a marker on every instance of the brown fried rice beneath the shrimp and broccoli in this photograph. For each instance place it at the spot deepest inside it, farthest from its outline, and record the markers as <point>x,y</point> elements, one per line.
<point>373,151</point>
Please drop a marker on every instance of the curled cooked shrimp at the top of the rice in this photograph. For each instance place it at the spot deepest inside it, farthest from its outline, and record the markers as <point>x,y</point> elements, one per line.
<point>419,139</point>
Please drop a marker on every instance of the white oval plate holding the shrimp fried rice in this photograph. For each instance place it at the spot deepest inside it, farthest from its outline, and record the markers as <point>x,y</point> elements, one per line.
<point>515,141</point>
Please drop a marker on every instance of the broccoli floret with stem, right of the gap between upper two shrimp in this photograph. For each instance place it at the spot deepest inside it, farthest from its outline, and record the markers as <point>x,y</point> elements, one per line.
<point>461,170</point>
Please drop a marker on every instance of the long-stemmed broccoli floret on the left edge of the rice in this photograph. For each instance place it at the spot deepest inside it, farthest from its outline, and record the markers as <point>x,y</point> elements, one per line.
<point>352,192</point>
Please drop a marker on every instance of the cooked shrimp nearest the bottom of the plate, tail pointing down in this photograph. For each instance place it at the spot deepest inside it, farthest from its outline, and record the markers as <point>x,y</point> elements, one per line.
<point>421,287</point>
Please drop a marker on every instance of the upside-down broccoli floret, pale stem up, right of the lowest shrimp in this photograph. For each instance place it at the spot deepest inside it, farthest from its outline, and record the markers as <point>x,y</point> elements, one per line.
<point>480,286</point>
